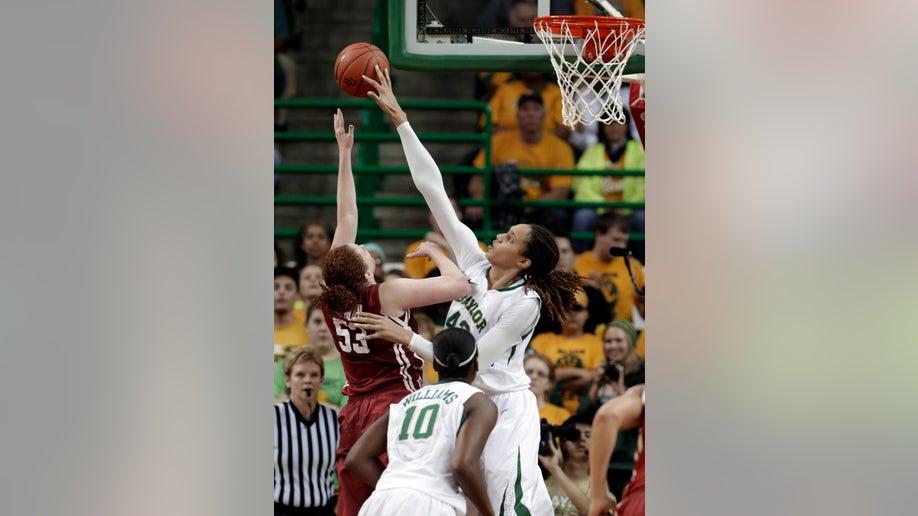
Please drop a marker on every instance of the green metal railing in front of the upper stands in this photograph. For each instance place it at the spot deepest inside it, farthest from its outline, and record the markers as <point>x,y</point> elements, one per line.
<point>367,166</point>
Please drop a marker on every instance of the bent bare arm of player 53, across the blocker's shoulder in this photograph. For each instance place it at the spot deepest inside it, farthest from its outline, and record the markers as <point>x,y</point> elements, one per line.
<point>400,294</point>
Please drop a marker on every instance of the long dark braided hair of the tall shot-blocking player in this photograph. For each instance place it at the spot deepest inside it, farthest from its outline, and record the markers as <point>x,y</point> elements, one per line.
<point>556,288</point>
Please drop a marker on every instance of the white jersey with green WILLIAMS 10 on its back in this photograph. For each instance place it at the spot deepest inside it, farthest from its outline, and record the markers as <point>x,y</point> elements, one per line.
<point>421,439</point>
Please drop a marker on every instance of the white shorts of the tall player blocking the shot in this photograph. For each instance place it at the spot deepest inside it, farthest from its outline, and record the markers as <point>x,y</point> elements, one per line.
<point>510,459</point>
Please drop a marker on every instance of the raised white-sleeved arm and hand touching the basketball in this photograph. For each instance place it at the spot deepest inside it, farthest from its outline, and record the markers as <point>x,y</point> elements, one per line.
<point>425,173</point>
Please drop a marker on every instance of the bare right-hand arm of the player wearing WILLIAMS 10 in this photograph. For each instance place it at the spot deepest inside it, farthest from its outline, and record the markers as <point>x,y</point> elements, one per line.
<point>466,460</point>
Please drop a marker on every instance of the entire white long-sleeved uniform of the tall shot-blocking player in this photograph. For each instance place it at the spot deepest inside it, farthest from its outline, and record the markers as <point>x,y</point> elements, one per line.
<point>502,322</point>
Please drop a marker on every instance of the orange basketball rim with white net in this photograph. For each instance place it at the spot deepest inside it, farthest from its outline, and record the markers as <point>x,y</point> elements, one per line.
<point>589,54</point>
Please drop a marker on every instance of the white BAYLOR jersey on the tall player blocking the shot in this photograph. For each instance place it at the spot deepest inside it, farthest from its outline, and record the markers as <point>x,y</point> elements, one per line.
<point>482,310</point>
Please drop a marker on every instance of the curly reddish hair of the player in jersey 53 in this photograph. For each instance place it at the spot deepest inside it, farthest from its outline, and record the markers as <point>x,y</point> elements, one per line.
<point>344,272</point>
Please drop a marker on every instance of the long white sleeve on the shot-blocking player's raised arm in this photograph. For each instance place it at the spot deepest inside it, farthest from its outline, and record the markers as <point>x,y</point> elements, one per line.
<point>429,181</point>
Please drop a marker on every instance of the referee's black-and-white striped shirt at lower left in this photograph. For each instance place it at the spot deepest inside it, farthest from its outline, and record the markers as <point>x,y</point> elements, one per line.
<point>304,455</point>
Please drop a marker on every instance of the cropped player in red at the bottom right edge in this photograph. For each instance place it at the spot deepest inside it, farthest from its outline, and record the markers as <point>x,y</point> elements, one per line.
<point>623,413</point>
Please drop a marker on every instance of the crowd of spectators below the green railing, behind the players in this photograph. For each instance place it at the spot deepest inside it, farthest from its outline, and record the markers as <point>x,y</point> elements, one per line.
<point>589,357</point>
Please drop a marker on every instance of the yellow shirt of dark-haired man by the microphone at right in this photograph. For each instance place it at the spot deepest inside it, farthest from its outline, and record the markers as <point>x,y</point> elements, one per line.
<point>615,284</point>
